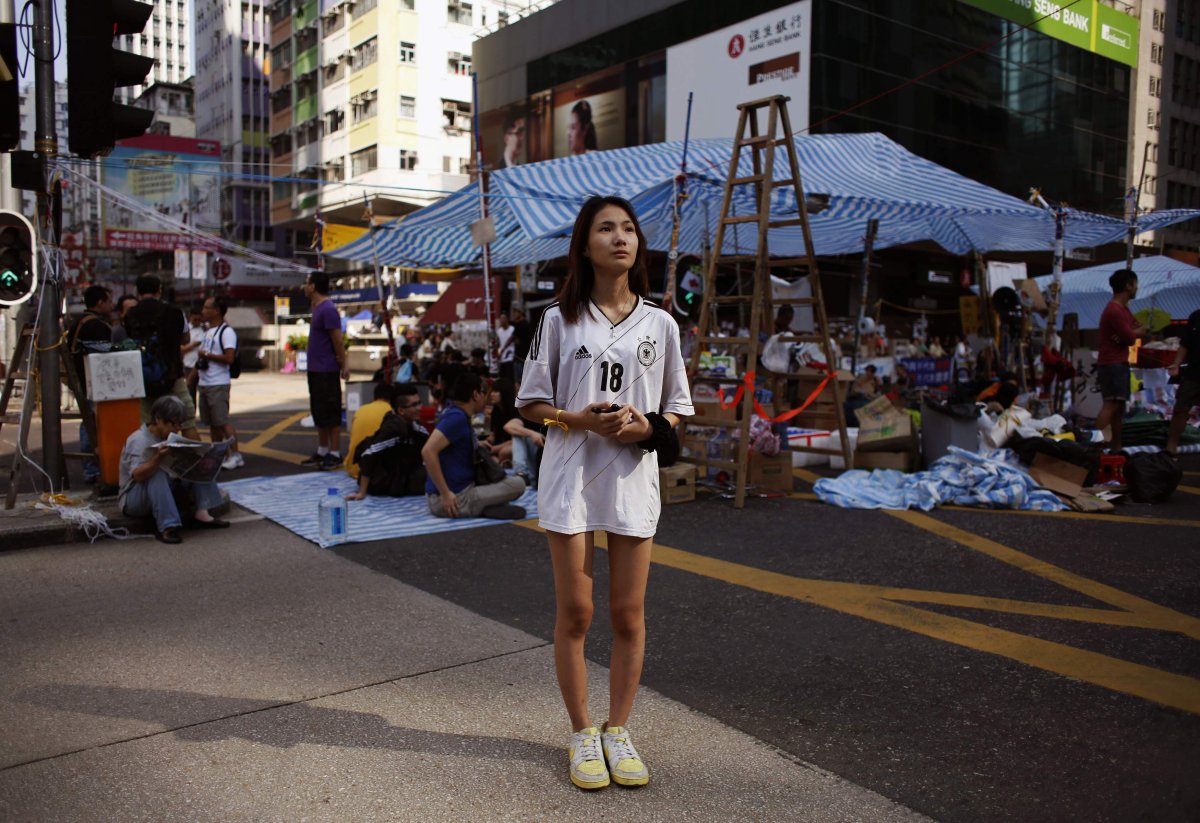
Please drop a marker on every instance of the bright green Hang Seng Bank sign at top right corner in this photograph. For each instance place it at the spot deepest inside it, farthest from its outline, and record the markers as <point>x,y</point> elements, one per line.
<point>1087,23</point>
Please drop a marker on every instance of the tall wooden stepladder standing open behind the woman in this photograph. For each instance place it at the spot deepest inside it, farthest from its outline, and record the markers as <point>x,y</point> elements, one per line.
<point>761,148</point>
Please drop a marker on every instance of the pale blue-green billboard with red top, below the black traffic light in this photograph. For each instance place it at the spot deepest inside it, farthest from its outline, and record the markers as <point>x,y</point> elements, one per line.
<point>177,177</point>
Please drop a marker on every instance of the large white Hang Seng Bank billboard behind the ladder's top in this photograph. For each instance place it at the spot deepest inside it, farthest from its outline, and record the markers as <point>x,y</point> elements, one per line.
<point>765,56</point>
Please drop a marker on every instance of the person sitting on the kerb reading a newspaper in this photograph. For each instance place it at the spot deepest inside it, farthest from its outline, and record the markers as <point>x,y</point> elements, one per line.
<point>147,490</point>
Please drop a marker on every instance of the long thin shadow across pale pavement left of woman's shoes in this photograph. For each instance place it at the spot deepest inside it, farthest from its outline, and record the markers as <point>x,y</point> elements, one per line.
<point>295,725</point>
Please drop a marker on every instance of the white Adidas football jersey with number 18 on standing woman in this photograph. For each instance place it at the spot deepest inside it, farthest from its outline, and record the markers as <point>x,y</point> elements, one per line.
<point>591,483</point>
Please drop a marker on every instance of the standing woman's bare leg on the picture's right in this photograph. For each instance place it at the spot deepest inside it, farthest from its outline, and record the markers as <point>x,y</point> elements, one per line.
<point>629,567</point>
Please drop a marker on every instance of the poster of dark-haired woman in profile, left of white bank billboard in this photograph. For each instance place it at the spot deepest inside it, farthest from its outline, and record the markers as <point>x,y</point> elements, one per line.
<point>590,115</point>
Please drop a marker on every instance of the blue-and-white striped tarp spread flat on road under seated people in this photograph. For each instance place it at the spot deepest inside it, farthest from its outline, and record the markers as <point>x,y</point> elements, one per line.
<point>292,503</point>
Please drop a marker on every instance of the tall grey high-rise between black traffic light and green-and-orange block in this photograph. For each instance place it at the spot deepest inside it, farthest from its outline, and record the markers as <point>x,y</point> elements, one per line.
<point>232,107</point>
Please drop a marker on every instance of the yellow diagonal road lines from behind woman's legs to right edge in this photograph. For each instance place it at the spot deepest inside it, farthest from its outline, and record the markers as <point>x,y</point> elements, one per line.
<point>880,604</point>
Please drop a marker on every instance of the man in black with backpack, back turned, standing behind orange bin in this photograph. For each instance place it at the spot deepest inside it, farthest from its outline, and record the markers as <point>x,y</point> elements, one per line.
<point>160,331</point>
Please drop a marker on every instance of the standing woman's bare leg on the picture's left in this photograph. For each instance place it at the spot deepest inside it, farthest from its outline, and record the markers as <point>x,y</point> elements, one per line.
<point>572,556</point>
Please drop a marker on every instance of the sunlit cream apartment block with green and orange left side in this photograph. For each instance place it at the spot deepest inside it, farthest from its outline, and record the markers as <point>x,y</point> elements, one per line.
<point>371,103</point>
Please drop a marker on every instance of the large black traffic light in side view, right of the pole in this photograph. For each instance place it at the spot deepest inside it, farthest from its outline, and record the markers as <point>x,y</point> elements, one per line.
<point>95,70</point>
